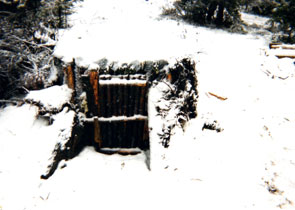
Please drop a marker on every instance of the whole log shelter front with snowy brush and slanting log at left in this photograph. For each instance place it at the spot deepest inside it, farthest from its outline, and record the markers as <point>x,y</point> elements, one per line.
<point>112,105</point>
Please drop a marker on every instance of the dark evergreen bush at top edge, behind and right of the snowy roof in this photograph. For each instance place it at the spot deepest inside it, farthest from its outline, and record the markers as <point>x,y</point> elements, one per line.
<point>222,13</point>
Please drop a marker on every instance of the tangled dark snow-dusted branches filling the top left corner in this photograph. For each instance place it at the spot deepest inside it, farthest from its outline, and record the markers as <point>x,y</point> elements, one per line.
<point>27,39</point>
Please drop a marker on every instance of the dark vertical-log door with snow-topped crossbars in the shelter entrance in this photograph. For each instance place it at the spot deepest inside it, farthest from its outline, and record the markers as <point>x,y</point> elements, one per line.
<point>117,115</point>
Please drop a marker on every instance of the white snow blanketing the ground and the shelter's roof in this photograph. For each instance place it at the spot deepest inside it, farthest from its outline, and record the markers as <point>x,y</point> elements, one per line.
<point>249,165</point>
